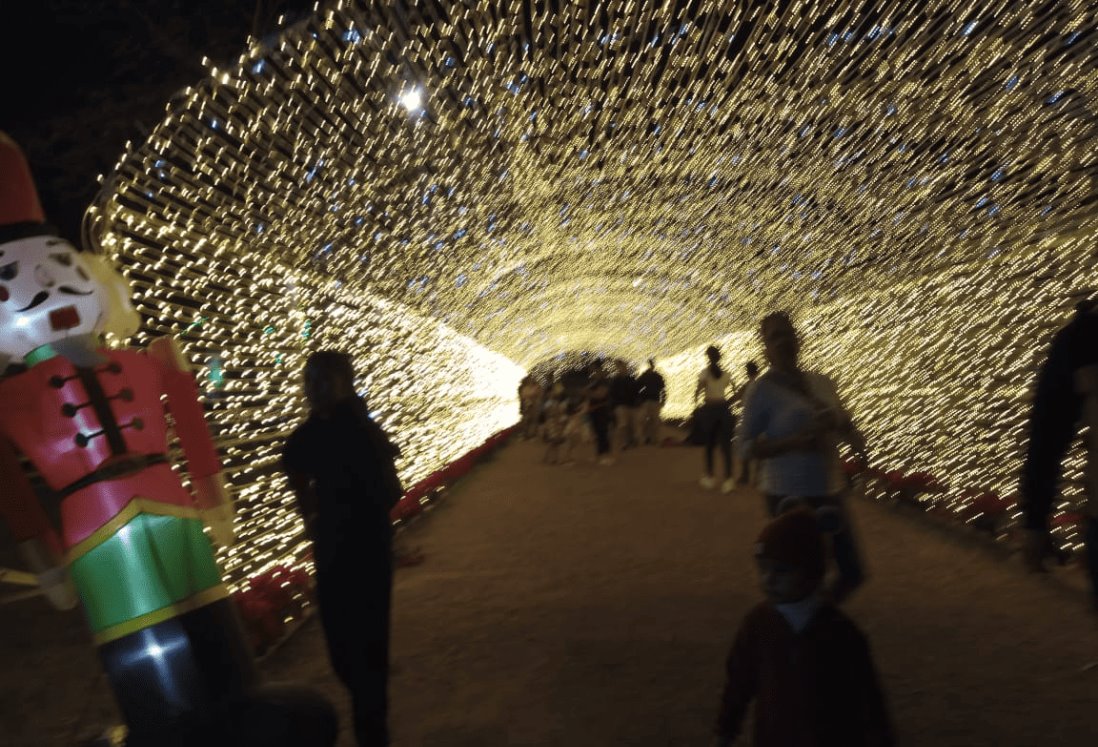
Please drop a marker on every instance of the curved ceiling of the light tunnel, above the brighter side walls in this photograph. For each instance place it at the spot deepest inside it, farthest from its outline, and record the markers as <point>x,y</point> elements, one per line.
<point>640,176</point>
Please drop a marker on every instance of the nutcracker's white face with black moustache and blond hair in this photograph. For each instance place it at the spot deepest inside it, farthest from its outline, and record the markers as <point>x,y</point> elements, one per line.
<point>49,292</point>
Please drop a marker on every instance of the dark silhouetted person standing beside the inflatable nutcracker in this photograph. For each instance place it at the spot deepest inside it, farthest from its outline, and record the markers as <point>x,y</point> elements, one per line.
<point>341,467</point>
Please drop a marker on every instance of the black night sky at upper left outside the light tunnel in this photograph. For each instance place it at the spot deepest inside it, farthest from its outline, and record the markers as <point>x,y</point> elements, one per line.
<point>82,77</point>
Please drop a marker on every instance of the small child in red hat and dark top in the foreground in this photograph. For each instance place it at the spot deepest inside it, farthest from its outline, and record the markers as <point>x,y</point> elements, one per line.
<point>804,663</point>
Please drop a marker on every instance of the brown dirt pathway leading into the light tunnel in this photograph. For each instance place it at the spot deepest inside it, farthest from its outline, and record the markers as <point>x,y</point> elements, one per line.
<point>587,606</point>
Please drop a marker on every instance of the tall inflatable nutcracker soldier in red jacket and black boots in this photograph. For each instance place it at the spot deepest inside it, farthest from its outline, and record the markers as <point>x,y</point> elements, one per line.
<point>131,543</point>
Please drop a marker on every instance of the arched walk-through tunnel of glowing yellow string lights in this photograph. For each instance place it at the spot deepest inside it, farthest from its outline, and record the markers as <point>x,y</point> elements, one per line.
<point>460,192</point>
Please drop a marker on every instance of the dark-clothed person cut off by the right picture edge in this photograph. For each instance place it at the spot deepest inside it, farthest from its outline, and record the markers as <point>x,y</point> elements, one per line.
<point>1067,397</point>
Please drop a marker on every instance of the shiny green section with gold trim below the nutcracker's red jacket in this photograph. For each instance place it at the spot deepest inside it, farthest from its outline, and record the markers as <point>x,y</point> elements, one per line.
<point>153,568</point>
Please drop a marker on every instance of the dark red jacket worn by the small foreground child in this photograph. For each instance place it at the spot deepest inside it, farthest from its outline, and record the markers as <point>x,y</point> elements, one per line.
<point>814,689</point>
